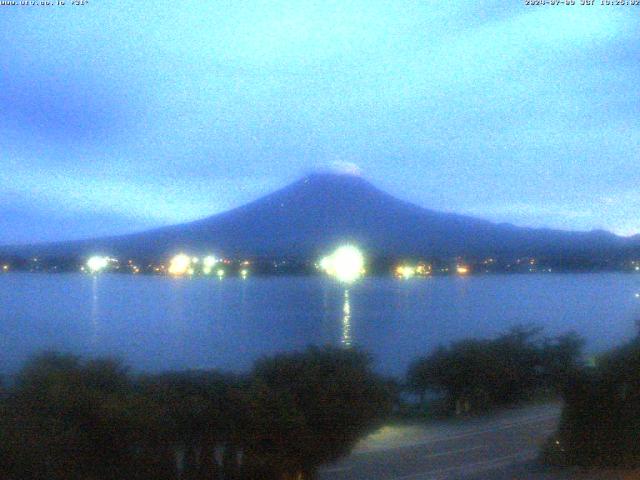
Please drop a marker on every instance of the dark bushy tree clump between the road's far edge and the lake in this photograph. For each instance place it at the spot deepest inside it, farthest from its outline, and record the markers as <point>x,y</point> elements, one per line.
<point>476,375</point>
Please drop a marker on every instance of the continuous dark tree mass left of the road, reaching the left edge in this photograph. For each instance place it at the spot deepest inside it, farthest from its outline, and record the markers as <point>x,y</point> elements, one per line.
<point>91,420</point>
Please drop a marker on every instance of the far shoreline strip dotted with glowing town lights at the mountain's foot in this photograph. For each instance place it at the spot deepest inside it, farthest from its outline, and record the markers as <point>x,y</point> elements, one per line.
<point>338,264</point>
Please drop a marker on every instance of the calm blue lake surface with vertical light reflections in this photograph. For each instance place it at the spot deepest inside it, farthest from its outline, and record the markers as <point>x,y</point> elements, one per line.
<point>159,323</point>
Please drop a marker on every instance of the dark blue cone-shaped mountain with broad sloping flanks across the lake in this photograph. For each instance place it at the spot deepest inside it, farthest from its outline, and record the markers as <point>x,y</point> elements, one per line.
<point>321,211</point>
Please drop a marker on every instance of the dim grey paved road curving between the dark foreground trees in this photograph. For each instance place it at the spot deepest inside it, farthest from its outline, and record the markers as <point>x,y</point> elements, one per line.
<point>498,446</point>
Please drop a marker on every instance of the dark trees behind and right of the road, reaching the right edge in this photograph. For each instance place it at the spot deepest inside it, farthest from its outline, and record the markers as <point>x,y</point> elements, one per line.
<point>600,422</point>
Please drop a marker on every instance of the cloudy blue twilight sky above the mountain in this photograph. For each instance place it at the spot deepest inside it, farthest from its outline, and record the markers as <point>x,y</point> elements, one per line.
<point>117,116</point>
